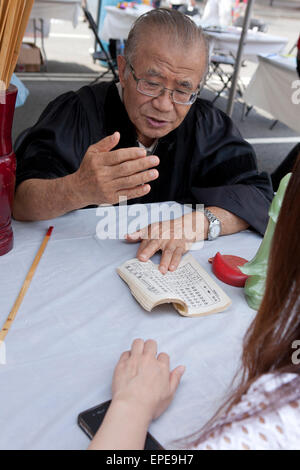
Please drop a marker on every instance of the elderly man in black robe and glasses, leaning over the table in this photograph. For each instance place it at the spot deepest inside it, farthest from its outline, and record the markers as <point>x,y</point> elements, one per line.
<point>148,138</point>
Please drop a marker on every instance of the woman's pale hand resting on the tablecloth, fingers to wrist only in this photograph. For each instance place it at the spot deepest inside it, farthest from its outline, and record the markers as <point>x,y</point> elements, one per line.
<point>143,379</point>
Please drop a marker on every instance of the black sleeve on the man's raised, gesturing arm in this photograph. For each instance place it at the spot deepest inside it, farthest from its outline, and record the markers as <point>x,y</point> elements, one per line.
<point>55,145</point>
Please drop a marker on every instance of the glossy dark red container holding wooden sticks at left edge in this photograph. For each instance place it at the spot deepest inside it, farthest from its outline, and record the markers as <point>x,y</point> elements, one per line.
<point>7,167</point>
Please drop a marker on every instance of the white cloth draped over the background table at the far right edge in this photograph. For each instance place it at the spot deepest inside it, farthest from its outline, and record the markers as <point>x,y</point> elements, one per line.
<point>272,88</point>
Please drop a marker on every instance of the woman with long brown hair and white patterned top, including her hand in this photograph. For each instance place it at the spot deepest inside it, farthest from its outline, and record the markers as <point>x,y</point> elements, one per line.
<point>264,411</point>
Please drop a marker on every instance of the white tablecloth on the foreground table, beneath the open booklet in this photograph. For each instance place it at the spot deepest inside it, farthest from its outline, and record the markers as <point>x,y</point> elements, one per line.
<point>76,319</point>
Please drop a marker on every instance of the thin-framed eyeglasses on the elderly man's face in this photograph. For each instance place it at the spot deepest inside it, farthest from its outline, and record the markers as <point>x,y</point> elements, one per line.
<point>149,88</point>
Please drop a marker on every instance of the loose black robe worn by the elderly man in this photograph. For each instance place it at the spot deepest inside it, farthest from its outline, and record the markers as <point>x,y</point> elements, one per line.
<point>204,160</point>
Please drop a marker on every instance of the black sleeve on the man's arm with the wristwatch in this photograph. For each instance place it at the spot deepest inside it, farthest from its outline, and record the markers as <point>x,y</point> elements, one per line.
<point>227,175</point>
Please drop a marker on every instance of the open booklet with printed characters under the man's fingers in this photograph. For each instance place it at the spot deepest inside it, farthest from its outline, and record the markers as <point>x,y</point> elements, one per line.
<point>190,288</point>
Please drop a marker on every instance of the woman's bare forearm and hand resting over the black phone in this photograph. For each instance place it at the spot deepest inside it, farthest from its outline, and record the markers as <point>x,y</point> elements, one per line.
<point>142,388</point>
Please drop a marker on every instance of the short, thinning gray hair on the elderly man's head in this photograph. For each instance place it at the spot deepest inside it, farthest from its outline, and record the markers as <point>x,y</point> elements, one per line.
<point>176,25</point>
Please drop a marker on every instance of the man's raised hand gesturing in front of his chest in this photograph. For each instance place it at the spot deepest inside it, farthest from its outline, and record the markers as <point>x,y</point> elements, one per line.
<point>105,174</point>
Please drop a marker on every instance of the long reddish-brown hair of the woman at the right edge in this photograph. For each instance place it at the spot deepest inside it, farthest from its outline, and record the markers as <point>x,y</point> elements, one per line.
<point>267,346</point>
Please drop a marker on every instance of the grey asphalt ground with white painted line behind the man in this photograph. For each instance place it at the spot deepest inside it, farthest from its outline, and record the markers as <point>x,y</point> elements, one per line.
<point>70,66</point>
